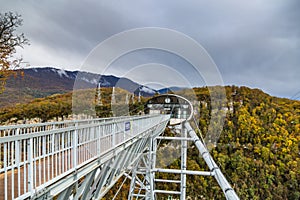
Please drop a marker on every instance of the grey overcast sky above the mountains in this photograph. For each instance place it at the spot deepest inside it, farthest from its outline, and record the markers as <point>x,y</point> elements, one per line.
<point>254,43</point>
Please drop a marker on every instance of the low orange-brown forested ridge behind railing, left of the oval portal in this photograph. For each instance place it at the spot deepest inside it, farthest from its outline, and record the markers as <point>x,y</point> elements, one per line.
<point>58,107</point>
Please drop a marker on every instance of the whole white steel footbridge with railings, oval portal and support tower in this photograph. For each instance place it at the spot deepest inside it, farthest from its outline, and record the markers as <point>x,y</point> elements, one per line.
<point>84,159</point>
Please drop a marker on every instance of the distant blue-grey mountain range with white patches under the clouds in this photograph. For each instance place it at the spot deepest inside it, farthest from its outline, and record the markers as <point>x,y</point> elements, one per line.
<point>42,82</point>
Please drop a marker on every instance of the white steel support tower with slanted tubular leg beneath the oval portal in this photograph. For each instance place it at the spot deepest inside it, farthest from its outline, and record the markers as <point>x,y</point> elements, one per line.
<point>143,176</point>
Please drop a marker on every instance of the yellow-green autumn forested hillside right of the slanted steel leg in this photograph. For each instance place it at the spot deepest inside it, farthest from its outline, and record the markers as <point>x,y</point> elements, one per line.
<point>259,146</point>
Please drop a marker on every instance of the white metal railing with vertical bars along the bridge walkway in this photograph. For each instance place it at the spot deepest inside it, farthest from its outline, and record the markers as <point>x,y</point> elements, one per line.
<point>36,155</point>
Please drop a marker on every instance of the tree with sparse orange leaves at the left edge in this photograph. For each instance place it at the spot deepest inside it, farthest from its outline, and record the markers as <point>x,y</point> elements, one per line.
<point>9,41</point>
